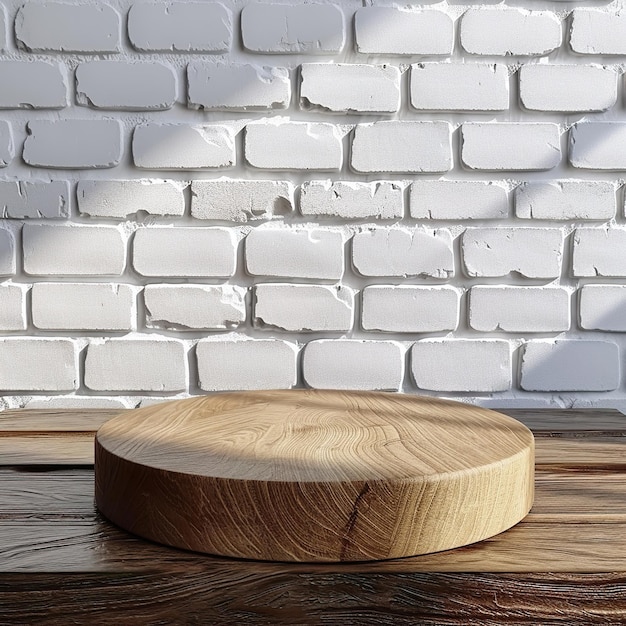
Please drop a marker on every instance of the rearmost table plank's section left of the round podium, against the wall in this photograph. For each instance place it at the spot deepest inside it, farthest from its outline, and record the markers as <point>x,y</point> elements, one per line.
<point>54,420</point>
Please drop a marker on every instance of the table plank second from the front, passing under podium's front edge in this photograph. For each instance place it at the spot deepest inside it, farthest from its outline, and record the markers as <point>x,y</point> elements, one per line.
<point>94,545</point>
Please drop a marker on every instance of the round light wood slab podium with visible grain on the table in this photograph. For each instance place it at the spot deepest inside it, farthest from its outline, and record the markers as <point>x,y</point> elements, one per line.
<point>309,475</point>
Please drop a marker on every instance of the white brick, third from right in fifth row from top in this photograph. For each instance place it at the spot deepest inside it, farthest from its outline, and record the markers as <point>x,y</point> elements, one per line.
<point>403,252</point>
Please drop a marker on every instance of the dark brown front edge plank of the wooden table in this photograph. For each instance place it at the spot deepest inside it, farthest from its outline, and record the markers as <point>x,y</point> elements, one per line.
<point>234,597</point>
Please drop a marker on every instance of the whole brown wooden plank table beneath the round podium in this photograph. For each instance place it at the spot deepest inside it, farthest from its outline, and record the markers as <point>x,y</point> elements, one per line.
<point>61,562</point>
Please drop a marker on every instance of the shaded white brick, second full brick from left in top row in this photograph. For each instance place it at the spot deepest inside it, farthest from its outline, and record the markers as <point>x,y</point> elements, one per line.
<point>180,27</point>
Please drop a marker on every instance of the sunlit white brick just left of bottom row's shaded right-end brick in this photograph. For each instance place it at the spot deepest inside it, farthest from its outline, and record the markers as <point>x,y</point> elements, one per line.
<point>461,365</point>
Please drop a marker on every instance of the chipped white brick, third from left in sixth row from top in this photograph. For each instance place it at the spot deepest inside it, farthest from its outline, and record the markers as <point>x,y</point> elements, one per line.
<point>185,307</point>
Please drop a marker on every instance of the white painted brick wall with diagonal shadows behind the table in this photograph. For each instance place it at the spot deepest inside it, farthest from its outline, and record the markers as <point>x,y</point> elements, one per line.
<point>203,196</point>
